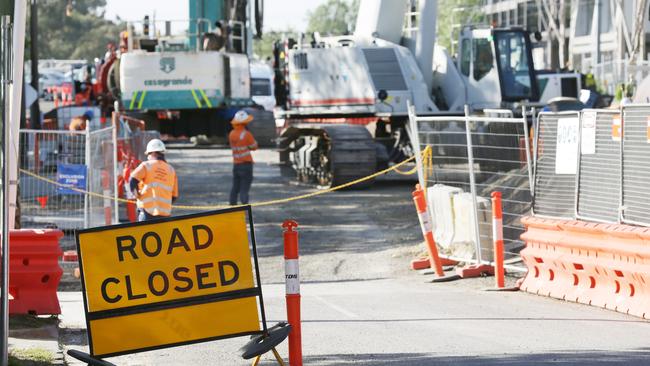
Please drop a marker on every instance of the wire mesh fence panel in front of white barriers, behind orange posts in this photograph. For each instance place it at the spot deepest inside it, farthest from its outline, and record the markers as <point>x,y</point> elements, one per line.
<point>499,162</point>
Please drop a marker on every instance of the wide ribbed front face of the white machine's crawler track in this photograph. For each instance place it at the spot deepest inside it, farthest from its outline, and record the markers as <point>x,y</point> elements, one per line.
<point>352,154</point>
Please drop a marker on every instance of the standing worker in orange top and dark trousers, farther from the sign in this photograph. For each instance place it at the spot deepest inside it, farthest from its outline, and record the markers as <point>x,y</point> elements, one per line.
<point>242,143</point>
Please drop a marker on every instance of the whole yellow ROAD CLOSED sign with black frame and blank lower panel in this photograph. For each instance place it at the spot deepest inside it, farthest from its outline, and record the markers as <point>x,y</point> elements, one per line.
<point>170,282</point>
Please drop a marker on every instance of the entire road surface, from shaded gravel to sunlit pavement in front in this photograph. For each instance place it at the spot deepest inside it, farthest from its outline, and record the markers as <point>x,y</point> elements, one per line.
<point>361,304</point>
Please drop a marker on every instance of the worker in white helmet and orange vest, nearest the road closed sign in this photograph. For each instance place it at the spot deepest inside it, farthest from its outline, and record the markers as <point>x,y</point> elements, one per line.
<point>154,183</point>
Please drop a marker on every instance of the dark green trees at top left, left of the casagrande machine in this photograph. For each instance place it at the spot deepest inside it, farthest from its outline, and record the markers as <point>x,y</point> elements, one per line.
<point>81,34</point>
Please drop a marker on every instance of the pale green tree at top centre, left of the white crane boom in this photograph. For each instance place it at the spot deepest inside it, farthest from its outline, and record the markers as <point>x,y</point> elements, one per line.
<point>335,17</point>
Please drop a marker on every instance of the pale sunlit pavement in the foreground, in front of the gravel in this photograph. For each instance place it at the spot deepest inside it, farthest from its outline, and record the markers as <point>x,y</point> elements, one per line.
<point>408,322</point>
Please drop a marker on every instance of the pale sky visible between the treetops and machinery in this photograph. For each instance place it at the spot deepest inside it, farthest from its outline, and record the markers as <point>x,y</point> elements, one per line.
<point>278,14</point>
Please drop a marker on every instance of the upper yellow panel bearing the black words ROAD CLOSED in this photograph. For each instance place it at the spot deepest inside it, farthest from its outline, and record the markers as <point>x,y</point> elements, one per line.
<point>166,261</point>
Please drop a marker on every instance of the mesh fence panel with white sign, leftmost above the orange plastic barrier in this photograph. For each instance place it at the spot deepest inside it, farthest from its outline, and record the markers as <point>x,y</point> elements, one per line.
<point>556,164</point>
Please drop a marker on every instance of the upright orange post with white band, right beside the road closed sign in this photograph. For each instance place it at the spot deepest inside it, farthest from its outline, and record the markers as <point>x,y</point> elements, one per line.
<point>292,278</point>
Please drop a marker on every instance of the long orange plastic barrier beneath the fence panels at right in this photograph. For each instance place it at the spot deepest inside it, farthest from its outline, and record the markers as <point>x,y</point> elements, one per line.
<point>595,264</point>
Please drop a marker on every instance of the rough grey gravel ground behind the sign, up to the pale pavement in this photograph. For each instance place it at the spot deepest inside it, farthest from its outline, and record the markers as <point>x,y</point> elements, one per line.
<point>352,234</point>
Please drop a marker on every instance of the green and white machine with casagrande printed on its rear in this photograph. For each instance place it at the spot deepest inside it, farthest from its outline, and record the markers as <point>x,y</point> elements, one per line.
<point>187,85</point>
